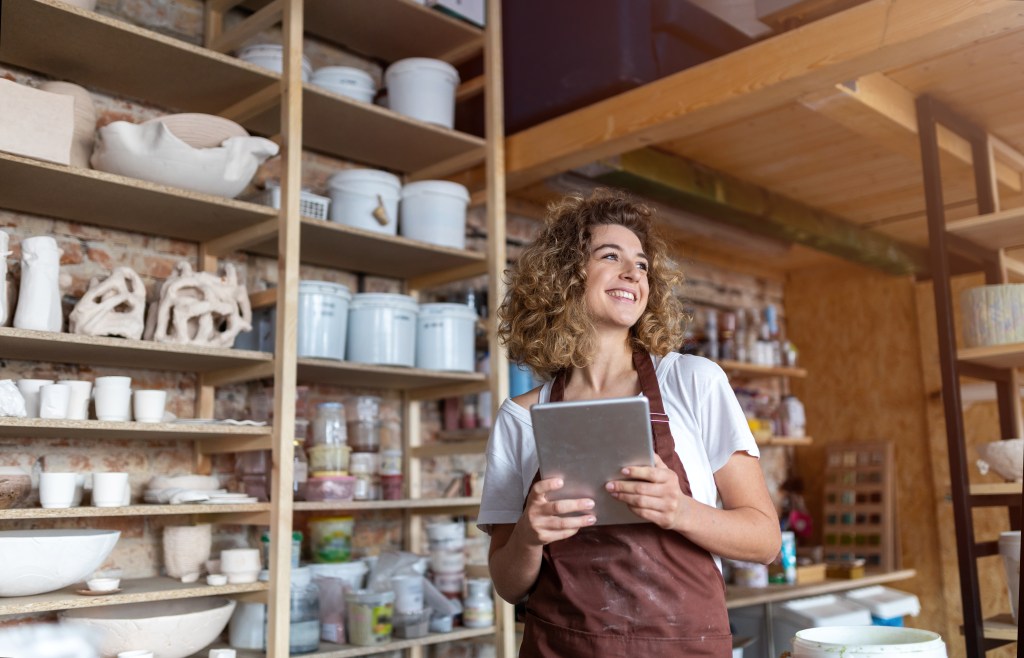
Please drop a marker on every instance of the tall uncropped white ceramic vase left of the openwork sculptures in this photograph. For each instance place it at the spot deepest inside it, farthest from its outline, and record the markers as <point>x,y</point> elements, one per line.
<point>39,295</point>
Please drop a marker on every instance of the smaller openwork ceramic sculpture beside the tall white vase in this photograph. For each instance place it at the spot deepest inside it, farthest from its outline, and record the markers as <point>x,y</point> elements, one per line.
<point>113,306</point>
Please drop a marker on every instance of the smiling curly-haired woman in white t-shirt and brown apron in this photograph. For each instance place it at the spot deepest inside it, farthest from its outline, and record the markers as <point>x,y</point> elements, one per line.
<point>591,304</point>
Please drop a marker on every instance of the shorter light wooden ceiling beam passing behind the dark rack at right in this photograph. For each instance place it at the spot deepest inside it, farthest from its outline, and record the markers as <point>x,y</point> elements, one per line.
<point>882,110</point>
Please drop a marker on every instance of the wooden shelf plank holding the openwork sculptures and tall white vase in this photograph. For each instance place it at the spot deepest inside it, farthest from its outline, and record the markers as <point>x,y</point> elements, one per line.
<point>73,348</point>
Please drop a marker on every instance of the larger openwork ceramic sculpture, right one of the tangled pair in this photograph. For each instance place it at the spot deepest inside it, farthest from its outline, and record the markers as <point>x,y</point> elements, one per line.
<point>200,309</point>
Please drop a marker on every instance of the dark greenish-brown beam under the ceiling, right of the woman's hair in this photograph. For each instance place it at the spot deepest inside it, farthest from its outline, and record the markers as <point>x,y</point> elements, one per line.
<point>689,186</point>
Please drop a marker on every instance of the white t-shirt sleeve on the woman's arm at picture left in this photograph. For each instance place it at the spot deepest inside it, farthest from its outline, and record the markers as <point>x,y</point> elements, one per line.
<point>504,486</point>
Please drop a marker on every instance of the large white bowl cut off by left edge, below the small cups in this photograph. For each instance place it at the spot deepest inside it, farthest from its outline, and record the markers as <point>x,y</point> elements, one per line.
<point>37,561</point>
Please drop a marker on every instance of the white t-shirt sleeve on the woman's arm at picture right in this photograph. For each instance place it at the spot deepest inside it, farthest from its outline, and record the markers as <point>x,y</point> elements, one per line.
<point>724,427</point>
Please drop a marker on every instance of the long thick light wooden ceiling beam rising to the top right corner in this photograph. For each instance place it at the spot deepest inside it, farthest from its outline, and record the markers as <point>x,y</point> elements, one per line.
<point>879,35</point>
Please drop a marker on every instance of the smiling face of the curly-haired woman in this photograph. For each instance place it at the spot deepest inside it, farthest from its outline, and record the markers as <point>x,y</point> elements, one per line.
<point>617,278</point>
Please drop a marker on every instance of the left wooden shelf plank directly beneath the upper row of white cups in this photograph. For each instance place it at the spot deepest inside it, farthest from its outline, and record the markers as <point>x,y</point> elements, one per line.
<point>51,429</point>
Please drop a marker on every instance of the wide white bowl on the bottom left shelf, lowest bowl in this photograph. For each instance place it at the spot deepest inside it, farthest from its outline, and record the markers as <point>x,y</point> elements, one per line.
<point>168,629</point>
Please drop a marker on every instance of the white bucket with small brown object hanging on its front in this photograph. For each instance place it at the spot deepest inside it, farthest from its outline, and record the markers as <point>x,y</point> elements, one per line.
<point>366,199</point>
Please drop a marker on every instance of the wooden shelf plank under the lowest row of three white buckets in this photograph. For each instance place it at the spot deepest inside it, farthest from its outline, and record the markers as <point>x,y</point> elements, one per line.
<point>379,377</point>
